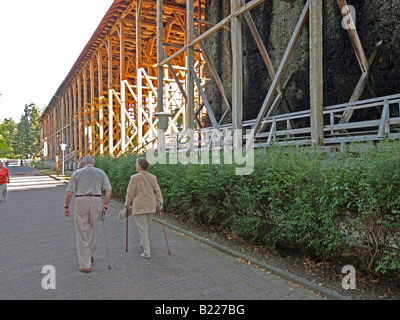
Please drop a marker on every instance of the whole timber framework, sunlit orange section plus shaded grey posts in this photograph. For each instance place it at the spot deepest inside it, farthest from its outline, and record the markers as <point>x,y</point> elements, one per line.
<point>147,56</point>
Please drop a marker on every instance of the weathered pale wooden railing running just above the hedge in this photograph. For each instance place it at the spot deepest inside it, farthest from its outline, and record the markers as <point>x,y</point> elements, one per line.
<point>381,119</point>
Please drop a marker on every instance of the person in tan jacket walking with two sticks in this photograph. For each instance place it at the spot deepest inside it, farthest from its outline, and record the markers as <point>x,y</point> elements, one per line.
<point>145,196</point>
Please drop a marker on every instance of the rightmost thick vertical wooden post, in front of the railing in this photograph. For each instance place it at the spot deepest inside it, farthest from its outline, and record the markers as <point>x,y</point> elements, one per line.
<point>316,73</point>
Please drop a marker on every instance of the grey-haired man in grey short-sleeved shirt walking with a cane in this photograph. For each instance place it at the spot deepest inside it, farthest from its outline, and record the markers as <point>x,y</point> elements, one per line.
<point>87,184</point>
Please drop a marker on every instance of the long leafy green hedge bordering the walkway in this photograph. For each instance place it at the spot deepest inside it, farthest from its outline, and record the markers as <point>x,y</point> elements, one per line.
<point>322,203</point>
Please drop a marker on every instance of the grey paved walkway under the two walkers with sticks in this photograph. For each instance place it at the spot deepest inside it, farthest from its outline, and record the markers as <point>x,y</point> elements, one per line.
<point>34,233</point>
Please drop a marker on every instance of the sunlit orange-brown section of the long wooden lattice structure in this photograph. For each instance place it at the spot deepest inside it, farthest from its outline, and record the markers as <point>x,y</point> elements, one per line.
<point>107,103</point>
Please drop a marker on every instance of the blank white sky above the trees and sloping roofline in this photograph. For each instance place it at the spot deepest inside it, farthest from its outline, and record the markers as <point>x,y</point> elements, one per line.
<point>40,40</point>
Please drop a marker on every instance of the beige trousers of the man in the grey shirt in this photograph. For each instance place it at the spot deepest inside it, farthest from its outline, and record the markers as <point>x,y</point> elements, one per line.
<point>87,214</point>
